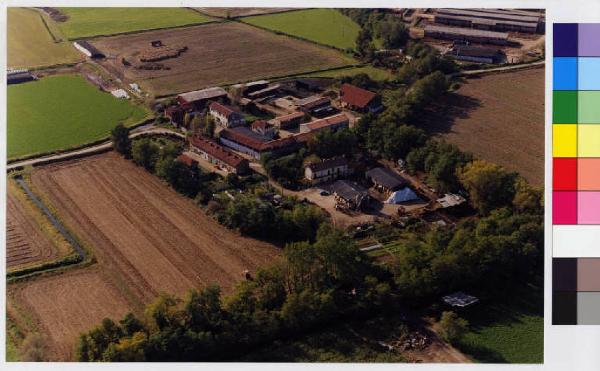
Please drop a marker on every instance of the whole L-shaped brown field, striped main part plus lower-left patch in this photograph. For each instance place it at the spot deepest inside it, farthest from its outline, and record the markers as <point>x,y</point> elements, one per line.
<point>146,238</point>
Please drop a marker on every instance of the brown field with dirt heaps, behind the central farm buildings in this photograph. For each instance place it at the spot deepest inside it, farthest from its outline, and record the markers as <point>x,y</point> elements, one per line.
<point>219,53</point>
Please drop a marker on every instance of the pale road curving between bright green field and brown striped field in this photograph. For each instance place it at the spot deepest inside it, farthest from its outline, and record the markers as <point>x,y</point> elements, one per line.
<point>142,130</point>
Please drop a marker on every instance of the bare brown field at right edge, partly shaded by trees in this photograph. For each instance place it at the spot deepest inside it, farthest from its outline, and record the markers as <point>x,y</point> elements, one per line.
<point>498,117</point>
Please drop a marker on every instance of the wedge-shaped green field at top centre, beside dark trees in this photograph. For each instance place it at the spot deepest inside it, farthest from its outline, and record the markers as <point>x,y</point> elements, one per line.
<point>325,26</point>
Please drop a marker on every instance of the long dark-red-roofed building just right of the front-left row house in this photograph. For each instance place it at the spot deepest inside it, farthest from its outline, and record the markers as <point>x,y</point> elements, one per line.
<point>246,141</point>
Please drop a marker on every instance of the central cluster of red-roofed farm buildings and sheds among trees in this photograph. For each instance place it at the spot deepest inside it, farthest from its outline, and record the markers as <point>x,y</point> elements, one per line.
<point>298,109</point>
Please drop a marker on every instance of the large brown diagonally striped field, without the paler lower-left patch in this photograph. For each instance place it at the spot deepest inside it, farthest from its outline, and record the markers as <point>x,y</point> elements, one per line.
<point>144,232</point>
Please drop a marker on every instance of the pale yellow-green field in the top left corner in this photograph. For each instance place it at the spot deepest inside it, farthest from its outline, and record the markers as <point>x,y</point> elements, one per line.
<point>30,44</point>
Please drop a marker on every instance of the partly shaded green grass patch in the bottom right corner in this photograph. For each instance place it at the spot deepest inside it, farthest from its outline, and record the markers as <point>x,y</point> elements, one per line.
<point>511,332</point>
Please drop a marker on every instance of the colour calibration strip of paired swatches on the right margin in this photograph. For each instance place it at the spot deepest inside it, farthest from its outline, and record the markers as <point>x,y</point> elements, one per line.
<point>576,174</point>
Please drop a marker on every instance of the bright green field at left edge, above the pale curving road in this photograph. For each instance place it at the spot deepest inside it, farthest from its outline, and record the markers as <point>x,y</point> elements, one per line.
<point>58,112</point>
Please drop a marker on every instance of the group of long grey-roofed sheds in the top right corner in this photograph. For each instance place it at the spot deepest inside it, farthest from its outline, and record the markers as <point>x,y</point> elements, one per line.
<point>477,35</point>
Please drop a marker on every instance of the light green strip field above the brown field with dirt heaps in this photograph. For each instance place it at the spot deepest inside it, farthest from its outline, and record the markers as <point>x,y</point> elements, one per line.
<point>88,22</point>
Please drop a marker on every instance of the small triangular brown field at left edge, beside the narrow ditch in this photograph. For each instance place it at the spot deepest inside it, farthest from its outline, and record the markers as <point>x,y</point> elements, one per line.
<point>25,243</point>
